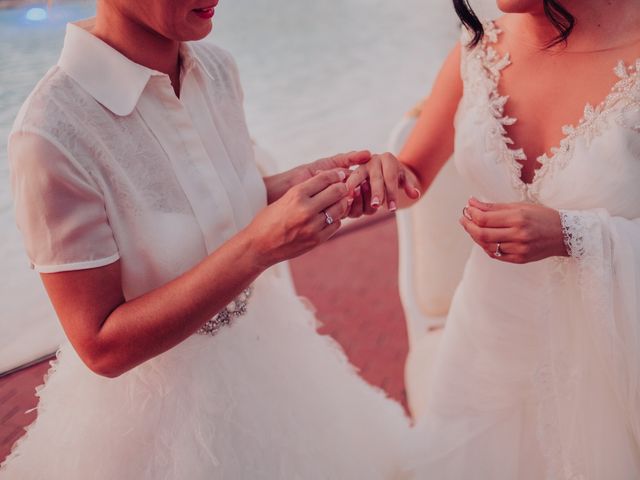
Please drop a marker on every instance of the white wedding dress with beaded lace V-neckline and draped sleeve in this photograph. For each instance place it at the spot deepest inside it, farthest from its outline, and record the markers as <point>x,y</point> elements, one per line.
<point>538,376</point>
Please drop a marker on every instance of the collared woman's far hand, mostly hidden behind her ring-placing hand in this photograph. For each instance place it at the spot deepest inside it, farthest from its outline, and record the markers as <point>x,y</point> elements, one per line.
<point>278,185</point>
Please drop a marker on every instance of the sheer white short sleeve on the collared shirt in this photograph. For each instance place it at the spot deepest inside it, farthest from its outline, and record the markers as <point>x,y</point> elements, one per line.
<point>59,210</point>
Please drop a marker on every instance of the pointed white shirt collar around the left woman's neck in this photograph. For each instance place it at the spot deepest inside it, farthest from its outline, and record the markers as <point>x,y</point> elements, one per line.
<point>107,75</point>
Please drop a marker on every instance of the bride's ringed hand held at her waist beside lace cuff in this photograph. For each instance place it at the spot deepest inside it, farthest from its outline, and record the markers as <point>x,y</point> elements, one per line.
<point>516,232</point>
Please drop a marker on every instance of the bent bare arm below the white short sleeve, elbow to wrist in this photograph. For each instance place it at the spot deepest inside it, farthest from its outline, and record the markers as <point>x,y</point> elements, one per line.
<point>112,335</point>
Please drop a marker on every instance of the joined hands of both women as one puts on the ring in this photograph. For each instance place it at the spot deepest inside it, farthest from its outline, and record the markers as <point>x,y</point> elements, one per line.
<point>307,204</point>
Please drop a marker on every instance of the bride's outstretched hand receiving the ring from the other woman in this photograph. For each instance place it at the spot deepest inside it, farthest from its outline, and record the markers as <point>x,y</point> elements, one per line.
<point>381,180</point>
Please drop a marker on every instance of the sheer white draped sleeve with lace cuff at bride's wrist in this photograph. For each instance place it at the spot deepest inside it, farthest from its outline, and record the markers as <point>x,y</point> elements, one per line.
<point>607,252</point>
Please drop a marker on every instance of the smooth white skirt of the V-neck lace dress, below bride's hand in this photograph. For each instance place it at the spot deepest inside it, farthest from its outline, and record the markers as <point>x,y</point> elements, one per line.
<point>518,390</point>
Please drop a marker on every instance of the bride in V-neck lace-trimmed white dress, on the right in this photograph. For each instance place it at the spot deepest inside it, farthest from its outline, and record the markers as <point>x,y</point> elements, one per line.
<point>538,375</point>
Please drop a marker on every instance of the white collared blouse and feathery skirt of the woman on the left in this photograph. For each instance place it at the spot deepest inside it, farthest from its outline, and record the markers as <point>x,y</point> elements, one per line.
<point>107,163</point>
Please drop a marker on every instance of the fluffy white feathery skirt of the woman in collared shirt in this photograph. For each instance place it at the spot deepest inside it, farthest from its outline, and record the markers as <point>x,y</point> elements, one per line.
<point>267,398</point>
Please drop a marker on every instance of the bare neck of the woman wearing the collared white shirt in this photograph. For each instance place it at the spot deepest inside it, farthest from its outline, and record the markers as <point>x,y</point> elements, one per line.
<point>137,42</point>
